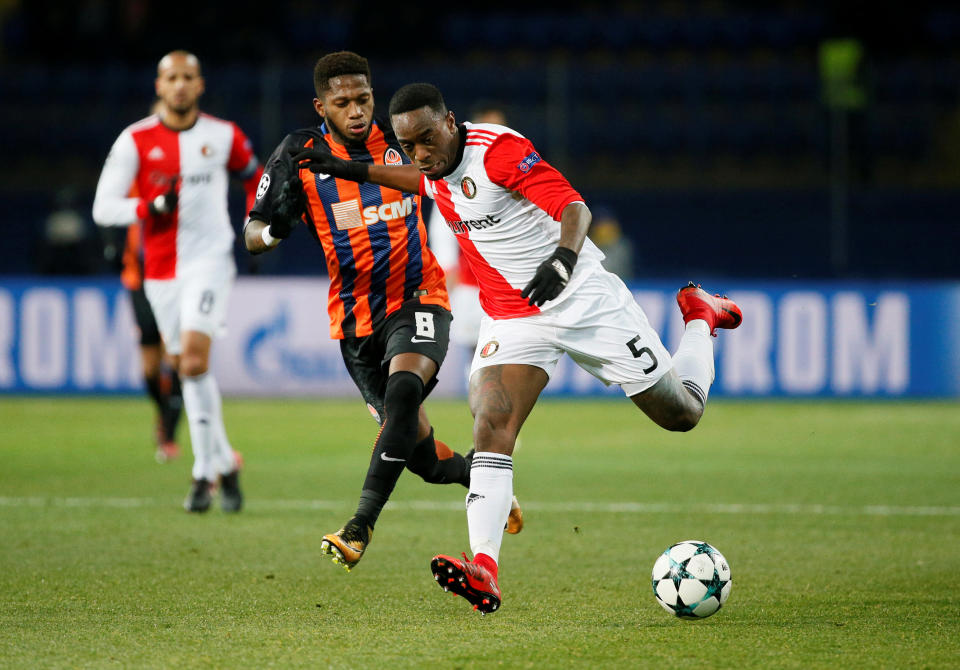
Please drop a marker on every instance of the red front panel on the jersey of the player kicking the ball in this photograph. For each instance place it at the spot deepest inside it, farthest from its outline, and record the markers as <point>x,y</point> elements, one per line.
<point>498,298</point>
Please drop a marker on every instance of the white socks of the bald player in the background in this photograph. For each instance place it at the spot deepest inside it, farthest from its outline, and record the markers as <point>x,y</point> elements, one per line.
<point>212,453</point>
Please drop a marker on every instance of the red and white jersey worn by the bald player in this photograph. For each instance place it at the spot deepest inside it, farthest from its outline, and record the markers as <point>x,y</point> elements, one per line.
<point>150,155</point>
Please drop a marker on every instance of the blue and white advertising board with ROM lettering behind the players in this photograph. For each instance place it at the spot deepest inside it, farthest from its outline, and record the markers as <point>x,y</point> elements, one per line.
<point>798,339</point>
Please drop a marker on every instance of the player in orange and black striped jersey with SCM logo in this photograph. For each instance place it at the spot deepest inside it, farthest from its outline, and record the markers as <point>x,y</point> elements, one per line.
<point>387,304</point>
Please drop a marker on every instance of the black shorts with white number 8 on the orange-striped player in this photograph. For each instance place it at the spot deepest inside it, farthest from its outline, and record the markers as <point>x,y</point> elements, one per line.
<point>414,328</point>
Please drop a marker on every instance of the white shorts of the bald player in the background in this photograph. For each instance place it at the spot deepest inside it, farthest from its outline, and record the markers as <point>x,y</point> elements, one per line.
<point>194,300</point>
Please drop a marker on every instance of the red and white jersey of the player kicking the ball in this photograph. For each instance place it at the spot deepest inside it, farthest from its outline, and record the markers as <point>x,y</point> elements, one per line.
<point>503,202</point>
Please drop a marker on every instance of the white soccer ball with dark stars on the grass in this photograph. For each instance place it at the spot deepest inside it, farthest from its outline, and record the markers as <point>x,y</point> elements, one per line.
<point>691,579</point>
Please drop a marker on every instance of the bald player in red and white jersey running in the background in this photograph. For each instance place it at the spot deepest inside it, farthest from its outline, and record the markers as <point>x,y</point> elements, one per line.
<point>179,161</point>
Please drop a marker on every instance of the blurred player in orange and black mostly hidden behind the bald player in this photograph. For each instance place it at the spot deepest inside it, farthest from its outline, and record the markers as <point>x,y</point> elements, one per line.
<point>159,376</point>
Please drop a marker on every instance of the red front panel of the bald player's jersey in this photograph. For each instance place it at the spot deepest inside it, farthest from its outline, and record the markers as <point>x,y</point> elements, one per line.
<point>159,150</point>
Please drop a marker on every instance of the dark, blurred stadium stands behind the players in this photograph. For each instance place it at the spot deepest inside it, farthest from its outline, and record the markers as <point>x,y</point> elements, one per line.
<point>704,126</point>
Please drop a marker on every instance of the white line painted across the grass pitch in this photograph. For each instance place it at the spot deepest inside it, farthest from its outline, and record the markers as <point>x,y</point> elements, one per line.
<point>566,507</point>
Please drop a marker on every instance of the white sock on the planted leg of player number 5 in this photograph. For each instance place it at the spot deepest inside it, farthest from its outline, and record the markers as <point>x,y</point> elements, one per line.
<point>488,502</point>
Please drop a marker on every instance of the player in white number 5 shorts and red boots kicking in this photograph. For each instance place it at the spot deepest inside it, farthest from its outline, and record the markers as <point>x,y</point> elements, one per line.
<point>523,229</point>
